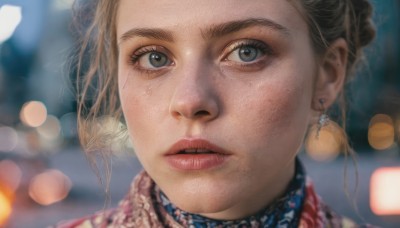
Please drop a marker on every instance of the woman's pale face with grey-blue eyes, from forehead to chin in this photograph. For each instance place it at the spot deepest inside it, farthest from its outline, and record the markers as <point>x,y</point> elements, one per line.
<point>217,98</point>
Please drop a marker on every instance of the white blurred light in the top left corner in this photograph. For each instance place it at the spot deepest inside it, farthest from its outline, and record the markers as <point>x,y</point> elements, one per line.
<point>10,17</point>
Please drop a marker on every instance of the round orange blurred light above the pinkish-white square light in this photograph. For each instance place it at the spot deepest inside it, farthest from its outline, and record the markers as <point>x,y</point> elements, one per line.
<point>381,132</point>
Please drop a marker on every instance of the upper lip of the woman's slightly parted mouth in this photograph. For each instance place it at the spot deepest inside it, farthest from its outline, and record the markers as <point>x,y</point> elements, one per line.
<point>201,145</point>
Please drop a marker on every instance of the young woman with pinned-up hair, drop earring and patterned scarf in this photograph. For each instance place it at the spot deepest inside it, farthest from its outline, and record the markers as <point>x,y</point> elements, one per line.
<point>217,97</point>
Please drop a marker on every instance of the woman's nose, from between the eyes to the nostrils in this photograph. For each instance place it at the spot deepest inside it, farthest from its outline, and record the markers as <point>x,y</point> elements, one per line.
<point>195,96</point>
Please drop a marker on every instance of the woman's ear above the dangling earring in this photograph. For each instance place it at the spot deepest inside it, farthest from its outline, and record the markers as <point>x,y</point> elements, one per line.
<point>331,75</point>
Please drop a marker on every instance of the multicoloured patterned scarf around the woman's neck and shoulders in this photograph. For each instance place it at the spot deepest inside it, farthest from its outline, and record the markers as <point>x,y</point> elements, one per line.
<point>145,206</point>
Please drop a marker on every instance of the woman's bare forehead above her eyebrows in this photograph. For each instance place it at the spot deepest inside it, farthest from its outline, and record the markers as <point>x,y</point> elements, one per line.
<point>185,15</point>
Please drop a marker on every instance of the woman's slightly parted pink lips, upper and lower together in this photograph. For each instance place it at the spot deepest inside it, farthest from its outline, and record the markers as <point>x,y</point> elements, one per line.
<point>195,155</point>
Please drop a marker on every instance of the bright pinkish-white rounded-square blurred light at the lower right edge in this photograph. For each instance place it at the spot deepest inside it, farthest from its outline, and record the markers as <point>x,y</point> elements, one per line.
<point>385,191</point>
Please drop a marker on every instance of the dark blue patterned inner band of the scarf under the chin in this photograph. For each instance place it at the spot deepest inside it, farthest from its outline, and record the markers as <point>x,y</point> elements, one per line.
<point>283,212</point>
